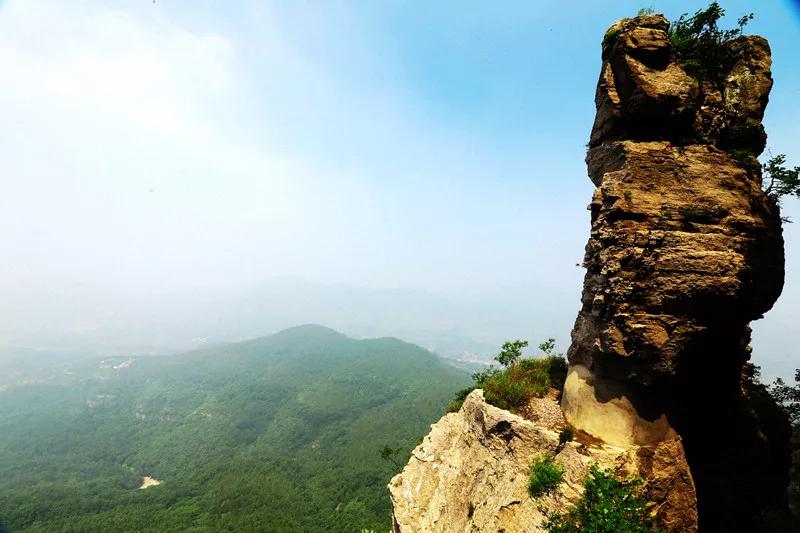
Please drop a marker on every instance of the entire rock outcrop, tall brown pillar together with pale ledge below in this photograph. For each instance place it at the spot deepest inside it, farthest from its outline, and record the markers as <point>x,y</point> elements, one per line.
<point>685,251</point>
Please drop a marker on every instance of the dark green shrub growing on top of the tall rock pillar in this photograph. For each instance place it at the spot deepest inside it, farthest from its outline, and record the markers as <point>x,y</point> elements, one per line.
<point>702,47</point>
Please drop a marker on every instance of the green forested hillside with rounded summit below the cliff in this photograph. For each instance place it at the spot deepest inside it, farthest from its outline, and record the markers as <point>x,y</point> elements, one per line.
<point>276,434</point>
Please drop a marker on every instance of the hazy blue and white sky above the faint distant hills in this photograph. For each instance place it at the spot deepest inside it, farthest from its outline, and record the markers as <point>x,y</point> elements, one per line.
<point>149,147</point>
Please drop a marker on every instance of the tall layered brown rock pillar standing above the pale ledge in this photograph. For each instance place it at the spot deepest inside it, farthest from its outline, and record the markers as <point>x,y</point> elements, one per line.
<point>685,251</point>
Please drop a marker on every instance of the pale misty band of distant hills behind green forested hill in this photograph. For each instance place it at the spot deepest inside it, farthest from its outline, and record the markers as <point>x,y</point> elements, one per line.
<point>464,326</point>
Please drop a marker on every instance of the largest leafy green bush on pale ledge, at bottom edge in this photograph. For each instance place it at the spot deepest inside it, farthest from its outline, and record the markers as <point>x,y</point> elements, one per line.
<point>608,505</point>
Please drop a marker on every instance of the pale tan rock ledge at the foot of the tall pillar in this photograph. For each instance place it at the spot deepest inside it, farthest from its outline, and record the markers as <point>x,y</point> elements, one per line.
<point>471,472</point>
